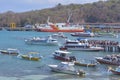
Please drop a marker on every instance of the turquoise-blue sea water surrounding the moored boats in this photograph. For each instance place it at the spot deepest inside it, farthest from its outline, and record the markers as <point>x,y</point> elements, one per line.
<point>14,68</point>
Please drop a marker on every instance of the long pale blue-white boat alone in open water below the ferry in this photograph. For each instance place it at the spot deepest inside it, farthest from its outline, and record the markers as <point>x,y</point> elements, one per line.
<point>42,41</point>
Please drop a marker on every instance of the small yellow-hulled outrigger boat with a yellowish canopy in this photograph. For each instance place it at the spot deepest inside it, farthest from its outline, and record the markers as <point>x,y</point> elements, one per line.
<point>33,56</point>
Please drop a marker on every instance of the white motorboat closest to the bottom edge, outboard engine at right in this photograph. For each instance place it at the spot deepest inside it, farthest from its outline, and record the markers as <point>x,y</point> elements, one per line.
<point>67,68</point>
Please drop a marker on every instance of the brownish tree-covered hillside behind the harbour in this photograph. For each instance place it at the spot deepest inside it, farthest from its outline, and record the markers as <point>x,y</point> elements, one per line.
<point>97,12</point>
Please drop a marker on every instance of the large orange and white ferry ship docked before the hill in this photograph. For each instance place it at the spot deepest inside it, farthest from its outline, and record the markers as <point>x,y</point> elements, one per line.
<point>59,27</point>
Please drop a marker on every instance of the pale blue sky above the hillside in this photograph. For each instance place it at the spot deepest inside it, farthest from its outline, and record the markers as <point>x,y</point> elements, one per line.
<point>28,5</point>
